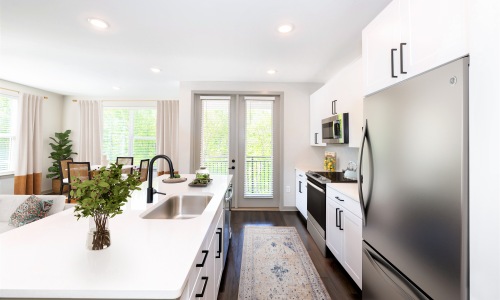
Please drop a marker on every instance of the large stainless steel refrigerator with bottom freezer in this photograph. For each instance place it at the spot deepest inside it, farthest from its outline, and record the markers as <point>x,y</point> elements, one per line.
<point>414,192</point>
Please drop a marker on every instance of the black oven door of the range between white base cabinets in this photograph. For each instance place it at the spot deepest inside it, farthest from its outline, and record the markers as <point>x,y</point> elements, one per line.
<point>316,202</point>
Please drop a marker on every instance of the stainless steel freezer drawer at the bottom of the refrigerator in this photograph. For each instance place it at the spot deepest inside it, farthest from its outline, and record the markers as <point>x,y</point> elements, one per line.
<point>382,281</point>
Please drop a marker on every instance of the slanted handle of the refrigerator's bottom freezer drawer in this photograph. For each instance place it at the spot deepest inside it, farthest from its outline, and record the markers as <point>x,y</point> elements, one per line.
<point>385,270</point>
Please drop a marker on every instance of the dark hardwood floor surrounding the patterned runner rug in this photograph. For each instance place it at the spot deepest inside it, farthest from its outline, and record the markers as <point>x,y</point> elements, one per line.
<point>338,283</point>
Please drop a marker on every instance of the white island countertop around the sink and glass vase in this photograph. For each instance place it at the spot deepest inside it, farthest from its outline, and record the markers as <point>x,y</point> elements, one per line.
<point>147,259</point>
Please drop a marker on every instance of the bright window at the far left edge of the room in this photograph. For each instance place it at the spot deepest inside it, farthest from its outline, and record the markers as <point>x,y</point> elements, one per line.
<point>8,113</point>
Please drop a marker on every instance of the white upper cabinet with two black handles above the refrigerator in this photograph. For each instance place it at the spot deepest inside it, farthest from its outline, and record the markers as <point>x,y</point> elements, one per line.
<point>410,37</point>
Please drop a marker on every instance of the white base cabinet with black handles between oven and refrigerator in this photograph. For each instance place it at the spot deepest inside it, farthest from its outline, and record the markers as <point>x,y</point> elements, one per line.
<point>344,232</point>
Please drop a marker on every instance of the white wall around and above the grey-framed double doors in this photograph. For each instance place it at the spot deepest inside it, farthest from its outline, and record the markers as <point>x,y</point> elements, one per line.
<point>295,147</point>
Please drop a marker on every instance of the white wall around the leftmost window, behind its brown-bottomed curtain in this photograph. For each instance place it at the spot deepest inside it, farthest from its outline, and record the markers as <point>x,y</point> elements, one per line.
<point>52,122</point>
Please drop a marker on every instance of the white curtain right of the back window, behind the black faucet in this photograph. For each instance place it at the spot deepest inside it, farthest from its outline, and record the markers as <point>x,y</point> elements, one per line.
<point>167,133</point>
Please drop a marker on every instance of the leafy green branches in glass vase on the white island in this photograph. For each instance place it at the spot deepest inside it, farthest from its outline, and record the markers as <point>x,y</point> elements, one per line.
<point>102,198</point>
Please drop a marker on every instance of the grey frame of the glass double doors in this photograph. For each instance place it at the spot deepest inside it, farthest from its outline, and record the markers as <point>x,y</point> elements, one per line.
<point>195,94</point>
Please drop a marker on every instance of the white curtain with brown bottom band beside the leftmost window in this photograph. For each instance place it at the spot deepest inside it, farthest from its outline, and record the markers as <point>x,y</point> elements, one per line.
<point>28,168</point>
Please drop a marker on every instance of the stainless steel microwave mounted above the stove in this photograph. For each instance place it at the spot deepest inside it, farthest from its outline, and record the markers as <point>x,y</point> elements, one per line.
<point>335,129</point>
